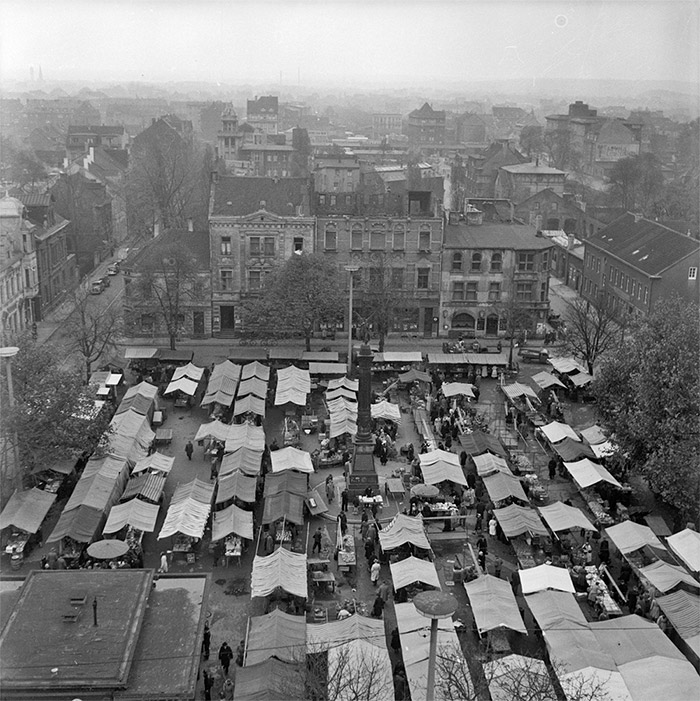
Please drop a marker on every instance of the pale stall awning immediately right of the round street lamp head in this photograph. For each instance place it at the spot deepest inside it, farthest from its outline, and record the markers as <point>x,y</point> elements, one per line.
<point>493,604</point>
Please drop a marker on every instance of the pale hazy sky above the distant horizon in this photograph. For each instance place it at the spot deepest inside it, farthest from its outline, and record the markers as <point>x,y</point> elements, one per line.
<point>359,40</point>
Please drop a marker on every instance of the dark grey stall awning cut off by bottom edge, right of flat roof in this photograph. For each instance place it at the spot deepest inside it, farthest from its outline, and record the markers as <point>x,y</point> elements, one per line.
<point>270,680</point>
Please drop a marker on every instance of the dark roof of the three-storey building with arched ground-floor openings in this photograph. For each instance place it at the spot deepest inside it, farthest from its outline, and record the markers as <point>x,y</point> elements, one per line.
<point>493,235</point>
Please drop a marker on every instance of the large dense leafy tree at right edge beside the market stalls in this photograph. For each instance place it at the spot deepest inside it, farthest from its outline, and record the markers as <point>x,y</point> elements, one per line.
<point>648,392</point>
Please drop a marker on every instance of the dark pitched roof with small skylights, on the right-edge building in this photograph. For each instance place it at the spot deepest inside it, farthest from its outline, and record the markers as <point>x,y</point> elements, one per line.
<point>644,244</point>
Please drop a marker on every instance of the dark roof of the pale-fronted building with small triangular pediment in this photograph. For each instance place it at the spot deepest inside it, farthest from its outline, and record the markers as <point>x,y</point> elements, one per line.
<point>238,196</point>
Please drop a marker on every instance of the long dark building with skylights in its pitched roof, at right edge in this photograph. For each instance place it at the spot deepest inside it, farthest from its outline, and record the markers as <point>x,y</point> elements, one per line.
<point>634,262</point>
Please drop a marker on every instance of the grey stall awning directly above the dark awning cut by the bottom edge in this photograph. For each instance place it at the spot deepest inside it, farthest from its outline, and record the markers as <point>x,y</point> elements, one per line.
<point>276,634</point>
